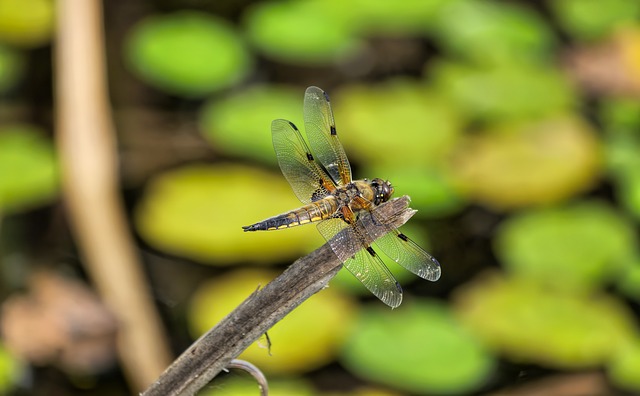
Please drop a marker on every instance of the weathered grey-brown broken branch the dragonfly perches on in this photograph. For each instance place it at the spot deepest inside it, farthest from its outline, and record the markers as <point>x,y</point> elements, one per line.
<point>214,350</point>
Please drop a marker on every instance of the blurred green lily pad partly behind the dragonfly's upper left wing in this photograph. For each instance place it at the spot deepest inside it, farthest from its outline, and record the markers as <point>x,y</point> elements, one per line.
<point>241,123</point>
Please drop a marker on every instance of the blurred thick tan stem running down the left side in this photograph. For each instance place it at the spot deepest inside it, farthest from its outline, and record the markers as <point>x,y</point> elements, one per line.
<point>88,158</point>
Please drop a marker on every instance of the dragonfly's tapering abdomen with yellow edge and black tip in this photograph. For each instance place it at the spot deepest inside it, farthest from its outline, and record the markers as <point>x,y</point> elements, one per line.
<point>315,211</point>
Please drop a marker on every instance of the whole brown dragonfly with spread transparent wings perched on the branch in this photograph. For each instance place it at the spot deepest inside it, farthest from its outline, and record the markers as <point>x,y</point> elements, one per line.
<point>345,210</point>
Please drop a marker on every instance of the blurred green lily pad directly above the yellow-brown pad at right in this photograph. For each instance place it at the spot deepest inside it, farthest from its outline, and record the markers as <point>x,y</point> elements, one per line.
<point>504,91</point>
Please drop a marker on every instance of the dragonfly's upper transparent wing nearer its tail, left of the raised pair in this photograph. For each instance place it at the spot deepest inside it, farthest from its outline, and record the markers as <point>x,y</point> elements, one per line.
<point>308,180</point>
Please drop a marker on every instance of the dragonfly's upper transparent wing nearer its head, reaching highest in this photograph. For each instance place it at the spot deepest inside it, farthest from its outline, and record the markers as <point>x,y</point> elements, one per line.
<point>321,132</point>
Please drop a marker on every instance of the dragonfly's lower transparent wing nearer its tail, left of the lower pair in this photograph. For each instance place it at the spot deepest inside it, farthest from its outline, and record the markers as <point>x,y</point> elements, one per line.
<point>365,265</point>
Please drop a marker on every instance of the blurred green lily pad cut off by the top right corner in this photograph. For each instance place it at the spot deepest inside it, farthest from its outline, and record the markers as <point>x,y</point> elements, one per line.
<point>594,19</point>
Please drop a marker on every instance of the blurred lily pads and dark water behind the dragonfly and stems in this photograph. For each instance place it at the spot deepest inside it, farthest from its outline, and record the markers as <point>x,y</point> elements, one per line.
<point>513,125</point>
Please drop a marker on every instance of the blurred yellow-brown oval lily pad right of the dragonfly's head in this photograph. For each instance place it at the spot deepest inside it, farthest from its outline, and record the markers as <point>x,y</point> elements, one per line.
<point>529,164</point>
